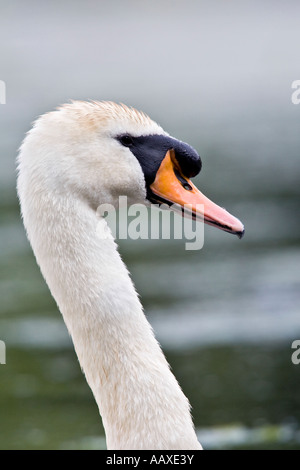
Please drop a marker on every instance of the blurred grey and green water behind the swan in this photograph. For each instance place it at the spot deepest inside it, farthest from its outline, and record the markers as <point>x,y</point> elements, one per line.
<point>215,74</point>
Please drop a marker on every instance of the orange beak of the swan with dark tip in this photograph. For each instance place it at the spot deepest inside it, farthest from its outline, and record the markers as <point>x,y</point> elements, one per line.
<point>172,187</point>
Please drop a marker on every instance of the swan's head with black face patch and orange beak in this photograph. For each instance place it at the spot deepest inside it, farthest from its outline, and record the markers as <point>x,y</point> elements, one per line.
<point>101,150</point>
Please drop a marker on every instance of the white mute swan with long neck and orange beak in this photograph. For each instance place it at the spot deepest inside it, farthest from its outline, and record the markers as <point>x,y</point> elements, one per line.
<point>73,159</point>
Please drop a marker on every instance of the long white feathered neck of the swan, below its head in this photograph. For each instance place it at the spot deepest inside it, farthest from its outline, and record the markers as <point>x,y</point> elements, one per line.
<point>141,404</point>
